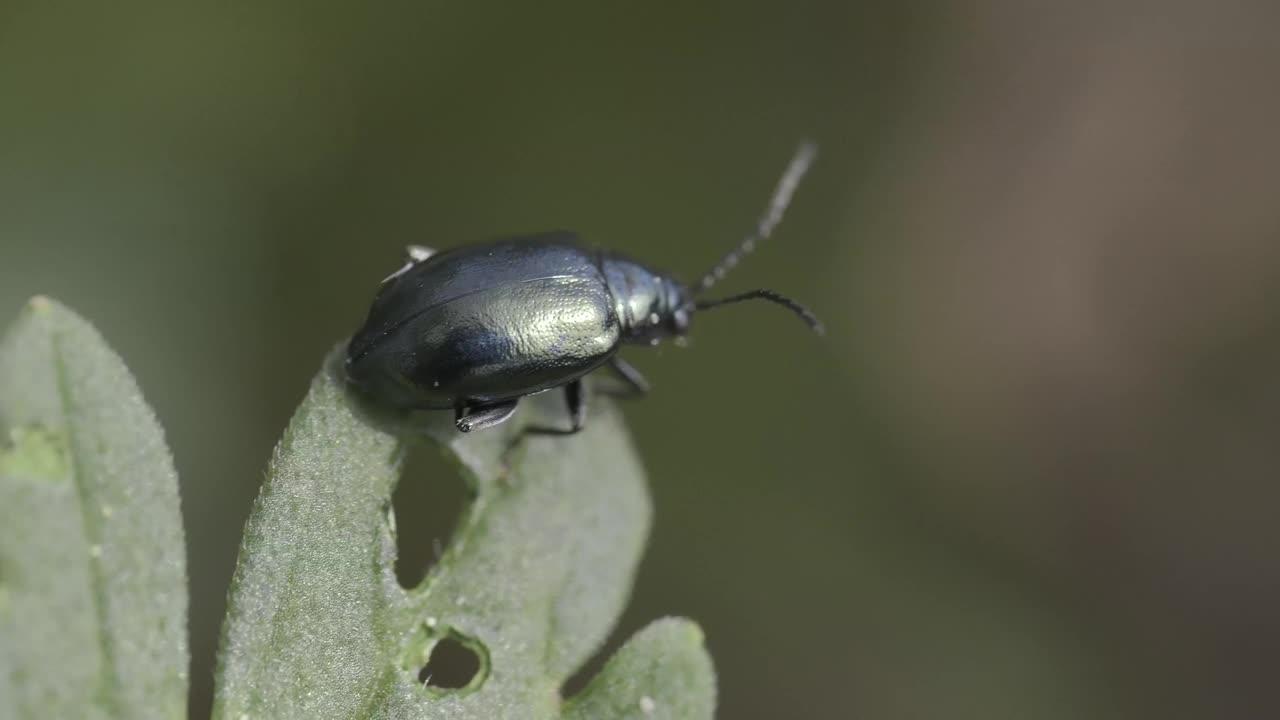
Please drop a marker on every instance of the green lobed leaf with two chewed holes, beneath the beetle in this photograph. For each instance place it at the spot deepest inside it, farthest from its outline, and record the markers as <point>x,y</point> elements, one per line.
<point>533,581</point>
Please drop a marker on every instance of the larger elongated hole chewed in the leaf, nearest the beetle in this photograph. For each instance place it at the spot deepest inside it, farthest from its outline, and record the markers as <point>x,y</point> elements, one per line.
<point>429,502</point>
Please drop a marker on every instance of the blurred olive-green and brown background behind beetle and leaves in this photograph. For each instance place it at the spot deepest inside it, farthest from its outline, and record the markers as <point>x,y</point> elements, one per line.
<point>1030,473</point>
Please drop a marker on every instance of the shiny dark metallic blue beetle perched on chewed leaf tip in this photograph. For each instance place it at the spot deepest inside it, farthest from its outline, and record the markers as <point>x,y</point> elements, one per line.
<point>476,329</point>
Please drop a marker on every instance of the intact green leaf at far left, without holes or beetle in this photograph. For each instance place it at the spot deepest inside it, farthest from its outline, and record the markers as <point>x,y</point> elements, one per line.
<point>93,566</point>
